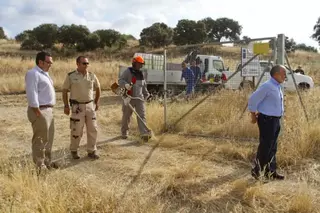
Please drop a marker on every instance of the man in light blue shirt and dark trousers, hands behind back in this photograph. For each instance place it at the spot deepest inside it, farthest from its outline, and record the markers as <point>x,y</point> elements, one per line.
<point>266,107</point>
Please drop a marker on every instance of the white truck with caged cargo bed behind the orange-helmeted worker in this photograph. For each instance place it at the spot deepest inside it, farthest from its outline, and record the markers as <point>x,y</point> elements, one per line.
<point>212,73</point>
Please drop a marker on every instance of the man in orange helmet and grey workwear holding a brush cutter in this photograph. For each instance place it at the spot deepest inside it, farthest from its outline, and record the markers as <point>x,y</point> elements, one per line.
<point>132,80</point>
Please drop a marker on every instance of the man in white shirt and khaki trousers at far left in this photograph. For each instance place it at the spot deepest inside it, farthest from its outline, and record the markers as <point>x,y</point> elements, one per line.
<point>41,99</point>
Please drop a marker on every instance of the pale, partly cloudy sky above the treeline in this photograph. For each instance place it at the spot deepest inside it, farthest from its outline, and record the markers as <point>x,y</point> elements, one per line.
<point>258,18</point>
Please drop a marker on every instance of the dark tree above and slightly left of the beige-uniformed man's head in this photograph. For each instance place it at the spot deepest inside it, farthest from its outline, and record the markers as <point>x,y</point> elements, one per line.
<point>70,35</point>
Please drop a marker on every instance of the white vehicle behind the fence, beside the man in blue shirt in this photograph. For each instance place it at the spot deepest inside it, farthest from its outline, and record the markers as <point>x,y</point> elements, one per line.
<point>237,81</point>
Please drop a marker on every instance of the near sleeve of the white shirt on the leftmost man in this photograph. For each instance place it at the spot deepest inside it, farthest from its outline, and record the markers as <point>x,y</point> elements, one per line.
<point>31,81</point>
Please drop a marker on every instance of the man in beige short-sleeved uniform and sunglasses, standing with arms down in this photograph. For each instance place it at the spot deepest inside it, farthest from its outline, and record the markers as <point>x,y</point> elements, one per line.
<point>81,83</point>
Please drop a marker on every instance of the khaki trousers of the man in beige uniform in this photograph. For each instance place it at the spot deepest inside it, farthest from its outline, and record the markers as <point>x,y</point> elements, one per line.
<point>83,114</point>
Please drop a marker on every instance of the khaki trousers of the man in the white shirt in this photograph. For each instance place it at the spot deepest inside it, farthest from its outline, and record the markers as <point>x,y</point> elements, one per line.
<point>43,134</point>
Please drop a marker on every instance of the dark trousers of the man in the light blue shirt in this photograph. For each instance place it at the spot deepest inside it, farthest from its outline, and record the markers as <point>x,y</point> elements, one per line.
<point>269,128</point>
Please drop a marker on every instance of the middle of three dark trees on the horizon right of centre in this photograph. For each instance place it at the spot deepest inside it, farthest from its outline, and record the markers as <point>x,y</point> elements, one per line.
<point>189,32</point>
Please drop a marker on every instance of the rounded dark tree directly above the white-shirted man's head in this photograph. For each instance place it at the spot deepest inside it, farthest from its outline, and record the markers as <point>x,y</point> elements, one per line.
<point>46,34</point>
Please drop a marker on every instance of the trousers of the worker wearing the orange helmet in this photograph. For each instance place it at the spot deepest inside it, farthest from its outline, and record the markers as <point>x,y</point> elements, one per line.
<point>139,106</point>
